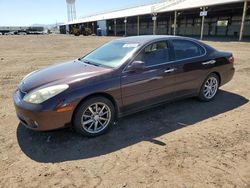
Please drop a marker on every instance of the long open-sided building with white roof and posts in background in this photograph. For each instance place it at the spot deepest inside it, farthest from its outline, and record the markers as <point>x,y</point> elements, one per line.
<point>222,18</point>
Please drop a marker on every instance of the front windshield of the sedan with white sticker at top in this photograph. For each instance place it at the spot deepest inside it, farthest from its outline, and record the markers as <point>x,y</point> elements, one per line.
<point>112,54</point>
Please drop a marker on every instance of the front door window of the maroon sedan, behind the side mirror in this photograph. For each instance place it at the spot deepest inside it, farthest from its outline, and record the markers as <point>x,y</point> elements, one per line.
<point>155,54</point>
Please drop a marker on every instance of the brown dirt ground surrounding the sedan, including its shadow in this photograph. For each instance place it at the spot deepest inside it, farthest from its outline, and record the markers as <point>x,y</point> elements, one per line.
<point>181,144</point>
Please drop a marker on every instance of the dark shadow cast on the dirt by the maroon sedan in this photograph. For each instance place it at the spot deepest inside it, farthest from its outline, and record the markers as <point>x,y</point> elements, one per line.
<point>65,145</point>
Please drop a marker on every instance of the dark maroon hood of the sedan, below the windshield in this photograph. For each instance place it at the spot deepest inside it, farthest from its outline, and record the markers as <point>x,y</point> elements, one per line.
<point>64,73</point>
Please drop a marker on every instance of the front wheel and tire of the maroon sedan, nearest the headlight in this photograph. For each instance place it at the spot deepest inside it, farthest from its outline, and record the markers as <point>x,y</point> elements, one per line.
<point>91,121</point>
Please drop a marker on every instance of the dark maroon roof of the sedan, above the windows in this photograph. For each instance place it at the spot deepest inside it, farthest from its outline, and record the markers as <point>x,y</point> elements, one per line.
<point>143,39</point>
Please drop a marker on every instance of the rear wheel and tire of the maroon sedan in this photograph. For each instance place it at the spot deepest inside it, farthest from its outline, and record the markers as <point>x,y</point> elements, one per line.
<point>209,88</point>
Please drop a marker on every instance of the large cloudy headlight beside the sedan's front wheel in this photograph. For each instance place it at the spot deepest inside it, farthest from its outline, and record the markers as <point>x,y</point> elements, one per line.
<point>39,96</point>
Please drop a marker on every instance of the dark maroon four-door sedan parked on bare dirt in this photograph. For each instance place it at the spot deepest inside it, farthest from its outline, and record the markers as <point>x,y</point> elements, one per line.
<point>121,77</point>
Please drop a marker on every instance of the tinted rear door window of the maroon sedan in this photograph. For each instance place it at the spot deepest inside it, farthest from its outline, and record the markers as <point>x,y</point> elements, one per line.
<point>186,49</point>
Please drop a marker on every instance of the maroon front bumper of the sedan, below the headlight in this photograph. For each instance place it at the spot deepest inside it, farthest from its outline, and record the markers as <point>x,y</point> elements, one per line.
<point>38,117</point>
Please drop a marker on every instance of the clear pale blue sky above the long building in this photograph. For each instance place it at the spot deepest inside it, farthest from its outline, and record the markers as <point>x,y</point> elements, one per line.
<point>29,12</point>
